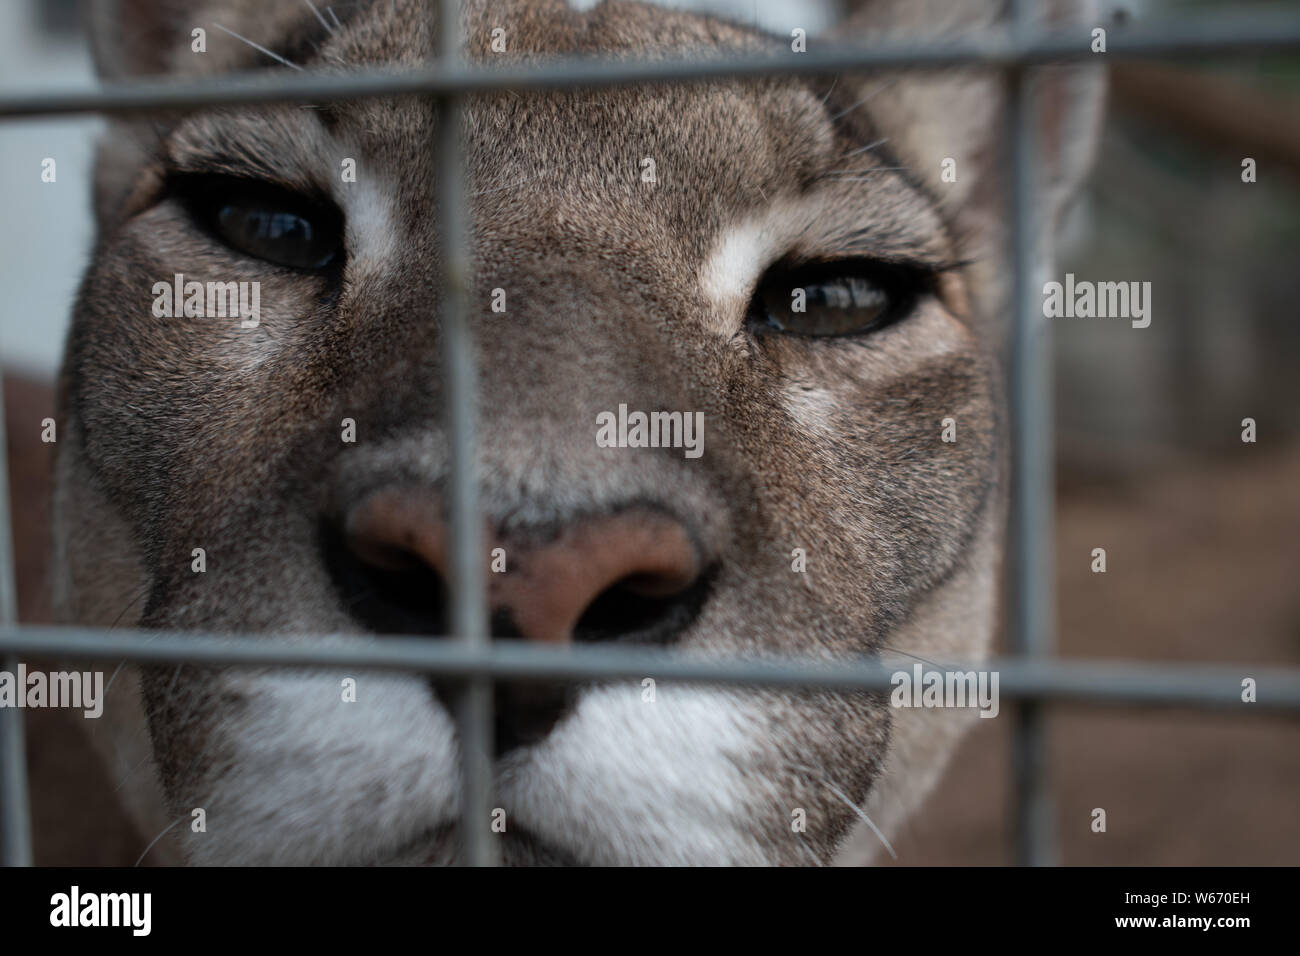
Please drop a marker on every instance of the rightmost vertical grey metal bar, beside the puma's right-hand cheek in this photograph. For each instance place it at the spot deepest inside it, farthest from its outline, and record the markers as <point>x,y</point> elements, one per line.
<point>1033,607</point>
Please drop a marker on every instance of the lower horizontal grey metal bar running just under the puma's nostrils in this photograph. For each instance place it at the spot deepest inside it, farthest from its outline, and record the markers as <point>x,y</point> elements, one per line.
<point>1094,682</point>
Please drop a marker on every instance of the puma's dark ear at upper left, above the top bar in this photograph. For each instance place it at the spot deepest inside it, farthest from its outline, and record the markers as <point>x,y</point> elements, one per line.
<point>135,38</point>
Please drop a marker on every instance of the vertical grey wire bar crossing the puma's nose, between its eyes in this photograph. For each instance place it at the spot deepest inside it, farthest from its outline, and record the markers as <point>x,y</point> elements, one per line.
<point>461,392</point>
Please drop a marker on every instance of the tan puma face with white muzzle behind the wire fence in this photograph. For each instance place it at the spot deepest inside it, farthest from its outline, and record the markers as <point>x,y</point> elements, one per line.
<point>781,263</point>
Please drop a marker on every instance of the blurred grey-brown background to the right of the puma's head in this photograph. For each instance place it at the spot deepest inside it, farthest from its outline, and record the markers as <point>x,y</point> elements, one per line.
<point>1202,531</point>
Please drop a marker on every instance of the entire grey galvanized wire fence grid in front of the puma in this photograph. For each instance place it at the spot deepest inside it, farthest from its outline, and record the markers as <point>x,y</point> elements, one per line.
<point>1034,677</point>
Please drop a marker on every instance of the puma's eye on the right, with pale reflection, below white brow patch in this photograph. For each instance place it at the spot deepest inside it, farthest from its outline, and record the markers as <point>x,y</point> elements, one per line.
<point>838,299</point>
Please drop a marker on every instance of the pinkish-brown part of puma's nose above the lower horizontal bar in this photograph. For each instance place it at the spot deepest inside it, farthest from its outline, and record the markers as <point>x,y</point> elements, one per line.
<point>595,578</point>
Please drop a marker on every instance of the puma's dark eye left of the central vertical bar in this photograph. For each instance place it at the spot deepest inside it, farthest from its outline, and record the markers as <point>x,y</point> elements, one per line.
<point>267,223</point>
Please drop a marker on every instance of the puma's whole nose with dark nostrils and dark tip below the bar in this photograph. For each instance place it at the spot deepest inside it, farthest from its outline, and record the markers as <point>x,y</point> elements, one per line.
<point>635,574</point>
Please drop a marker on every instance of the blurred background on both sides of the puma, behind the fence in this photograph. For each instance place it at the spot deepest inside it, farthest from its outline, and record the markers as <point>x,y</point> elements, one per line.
<point>1202,531</point>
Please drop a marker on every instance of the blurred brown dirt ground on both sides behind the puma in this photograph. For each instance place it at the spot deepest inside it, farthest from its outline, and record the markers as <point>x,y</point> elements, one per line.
<point>1203,566</point>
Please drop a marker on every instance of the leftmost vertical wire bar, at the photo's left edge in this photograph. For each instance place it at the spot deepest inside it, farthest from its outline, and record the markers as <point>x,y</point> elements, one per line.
<point>15,812</point>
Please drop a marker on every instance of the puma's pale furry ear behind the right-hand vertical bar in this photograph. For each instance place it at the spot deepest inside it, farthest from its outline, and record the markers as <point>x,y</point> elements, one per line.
<point>960,115</point>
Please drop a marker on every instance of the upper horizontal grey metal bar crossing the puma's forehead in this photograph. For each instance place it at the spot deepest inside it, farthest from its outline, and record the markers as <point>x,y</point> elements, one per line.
<point>1202,37</point>
